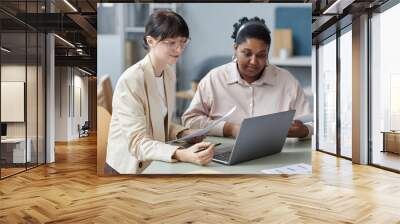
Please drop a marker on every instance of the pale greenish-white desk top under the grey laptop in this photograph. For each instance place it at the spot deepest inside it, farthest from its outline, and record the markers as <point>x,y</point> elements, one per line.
<point>293,152</point>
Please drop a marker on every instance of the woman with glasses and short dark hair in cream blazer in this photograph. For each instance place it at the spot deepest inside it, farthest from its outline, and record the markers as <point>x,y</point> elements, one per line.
<point>143,103</point>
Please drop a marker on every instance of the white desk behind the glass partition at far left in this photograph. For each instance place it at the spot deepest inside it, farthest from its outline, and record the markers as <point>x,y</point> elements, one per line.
<point>18,149</point>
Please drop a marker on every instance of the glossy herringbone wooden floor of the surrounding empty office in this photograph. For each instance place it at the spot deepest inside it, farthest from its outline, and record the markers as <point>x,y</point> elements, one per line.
<point>70,192</point>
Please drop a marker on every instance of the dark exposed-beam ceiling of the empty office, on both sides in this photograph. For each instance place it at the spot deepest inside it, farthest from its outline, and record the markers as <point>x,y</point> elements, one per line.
<point>76,22</point>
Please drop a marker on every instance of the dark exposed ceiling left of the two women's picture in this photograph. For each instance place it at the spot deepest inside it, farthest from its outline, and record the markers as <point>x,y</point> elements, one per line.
<point>74,21</point>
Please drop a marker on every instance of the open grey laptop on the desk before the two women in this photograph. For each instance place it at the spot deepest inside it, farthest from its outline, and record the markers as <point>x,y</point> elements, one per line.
<point>258,137</point>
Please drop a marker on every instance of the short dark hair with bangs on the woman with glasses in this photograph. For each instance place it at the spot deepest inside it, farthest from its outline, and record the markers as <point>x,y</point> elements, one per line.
<point>165,24</point>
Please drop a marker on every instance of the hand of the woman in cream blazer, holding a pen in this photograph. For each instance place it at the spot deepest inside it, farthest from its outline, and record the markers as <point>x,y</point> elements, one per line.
<point>200,153</point>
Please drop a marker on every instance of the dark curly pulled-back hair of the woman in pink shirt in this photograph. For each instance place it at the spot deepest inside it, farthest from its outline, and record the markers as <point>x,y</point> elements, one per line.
<point>251,28</point>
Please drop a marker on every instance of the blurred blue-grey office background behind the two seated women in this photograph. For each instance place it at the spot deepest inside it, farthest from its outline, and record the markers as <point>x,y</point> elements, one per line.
<point>120,39</point>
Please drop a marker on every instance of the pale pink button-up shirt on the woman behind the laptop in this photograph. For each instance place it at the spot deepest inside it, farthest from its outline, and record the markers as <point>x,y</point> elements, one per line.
<point>223,88</point>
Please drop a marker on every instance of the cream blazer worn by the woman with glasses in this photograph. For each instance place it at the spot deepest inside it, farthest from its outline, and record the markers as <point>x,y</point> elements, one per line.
<point>137,131</point>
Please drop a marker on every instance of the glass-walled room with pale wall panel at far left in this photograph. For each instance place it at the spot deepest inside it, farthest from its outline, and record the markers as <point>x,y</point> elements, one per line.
<point>22,64</point>
